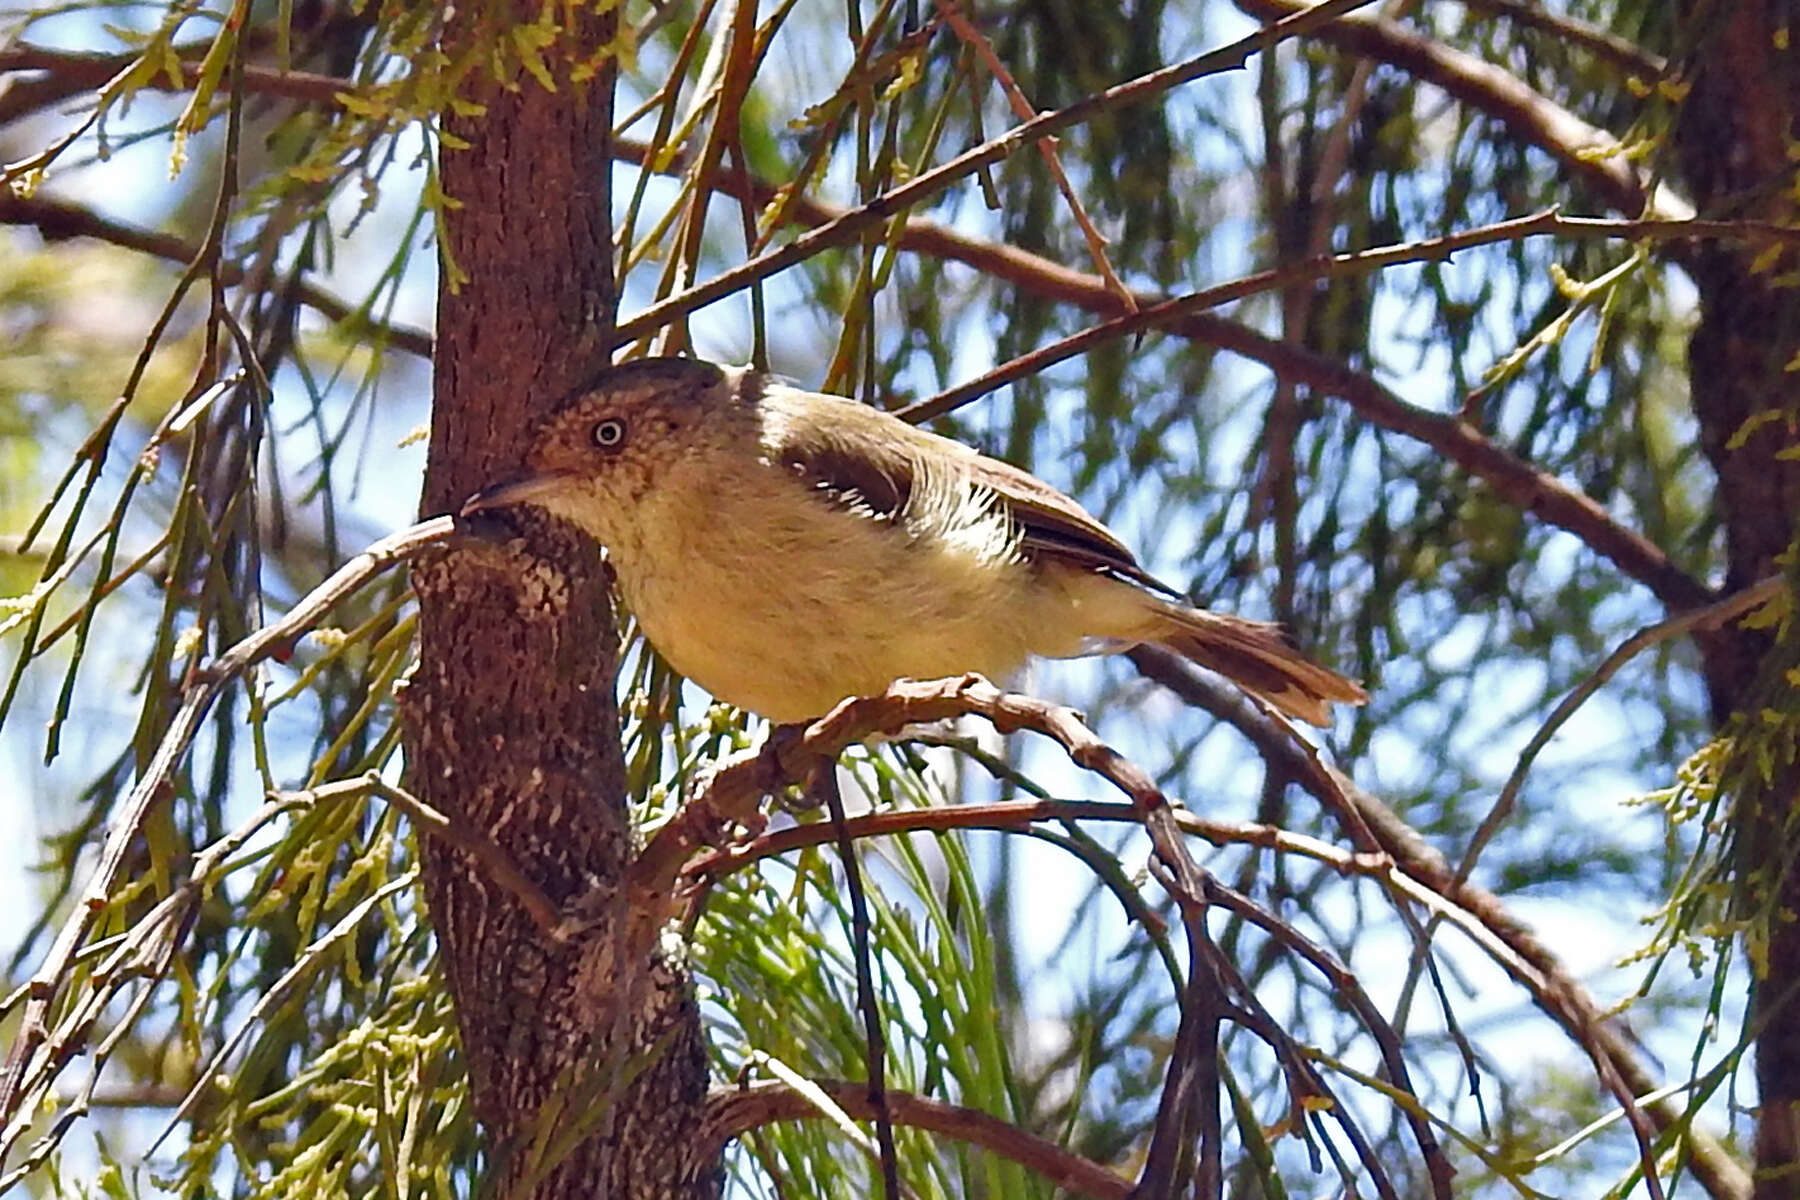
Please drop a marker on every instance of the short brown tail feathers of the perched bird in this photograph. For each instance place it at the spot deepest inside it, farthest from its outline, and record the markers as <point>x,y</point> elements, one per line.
<point>1259,658</point>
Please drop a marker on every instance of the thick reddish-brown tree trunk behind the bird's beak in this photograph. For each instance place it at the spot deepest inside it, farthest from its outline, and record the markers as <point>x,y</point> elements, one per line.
<point>588,1073</point>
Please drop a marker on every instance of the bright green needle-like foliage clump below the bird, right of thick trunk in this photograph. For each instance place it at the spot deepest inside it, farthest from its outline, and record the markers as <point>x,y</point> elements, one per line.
<point>787,998</point>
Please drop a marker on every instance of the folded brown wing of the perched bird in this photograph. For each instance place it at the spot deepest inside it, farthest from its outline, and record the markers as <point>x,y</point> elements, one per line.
<point>867,458</point>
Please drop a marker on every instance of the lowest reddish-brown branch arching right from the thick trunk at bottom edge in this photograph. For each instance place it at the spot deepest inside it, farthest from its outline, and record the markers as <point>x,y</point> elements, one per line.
<point>733,1113</point>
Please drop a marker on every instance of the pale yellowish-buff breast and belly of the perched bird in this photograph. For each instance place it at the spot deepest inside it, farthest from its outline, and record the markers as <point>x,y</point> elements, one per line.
<point>784,604</point>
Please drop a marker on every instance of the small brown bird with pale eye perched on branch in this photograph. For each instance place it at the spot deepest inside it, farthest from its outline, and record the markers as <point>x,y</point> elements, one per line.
<point>787,550</point>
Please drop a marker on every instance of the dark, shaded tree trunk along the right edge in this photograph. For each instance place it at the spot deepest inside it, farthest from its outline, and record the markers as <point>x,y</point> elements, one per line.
<point>1736,138</point>
